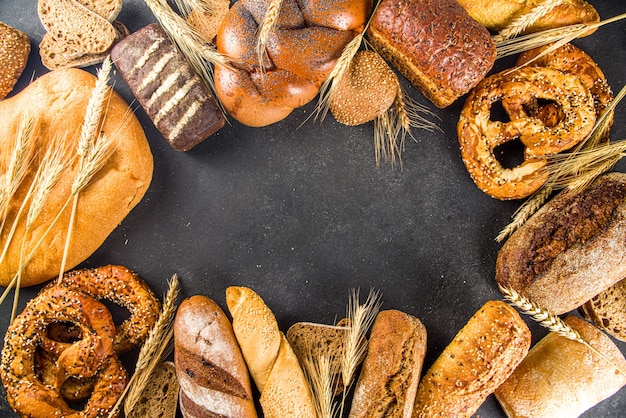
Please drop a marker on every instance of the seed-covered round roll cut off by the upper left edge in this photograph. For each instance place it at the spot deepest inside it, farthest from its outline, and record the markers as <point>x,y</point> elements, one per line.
<point>14,52</point>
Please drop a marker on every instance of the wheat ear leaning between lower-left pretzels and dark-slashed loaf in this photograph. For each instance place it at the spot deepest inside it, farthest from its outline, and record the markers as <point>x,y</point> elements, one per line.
<point>153,350</point>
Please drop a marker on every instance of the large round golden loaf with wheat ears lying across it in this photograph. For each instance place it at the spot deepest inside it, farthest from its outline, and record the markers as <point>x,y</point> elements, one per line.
<point>58,101</point>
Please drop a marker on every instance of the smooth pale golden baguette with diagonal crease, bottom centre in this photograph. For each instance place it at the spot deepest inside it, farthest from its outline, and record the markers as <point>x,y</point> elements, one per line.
<point>272,362</point>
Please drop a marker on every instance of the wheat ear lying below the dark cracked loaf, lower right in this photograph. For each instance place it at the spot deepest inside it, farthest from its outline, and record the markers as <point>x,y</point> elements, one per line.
<point>549,320</point>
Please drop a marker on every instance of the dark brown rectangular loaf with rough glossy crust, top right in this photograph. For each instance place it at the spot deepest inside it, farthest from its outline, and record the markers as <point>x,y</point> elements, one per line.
<point>433,43</point>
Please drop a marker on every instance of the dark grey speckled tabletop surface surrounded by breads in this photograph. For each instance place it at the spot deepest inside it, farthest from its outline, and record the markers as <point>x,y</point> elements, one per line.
<point>300,213</point>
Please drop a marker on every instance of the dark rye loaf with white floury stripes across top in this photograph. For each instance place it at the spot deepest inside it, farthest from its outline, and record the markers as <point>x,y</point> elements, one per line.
<point>170,91</point>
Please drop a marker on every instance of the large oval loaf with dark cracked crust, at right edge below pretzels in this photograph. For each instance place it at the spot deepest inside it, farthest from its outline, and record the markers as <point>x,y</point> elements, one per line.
<point>573,248</point>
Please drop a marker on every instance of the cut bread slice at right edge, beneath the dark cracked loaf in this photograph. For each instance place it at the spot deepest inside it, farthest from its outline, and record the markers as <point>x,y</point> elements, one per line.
<point>608,310</point>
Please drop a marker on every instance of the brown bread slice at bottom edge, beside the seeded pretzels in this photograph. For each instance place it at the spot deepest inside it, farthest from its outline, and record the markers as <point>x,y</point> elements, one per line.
<point>160,397</point>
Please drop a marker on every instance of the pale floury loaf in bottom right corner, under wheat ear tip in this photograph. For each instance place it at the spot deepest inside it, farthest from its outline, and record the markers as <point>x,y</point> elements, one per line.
<point>563,378</point>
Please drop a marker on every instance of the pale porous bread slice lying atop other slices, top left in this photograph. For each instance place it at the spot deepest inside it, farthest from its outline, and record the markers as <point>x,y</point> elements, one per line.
<point>79,28</point>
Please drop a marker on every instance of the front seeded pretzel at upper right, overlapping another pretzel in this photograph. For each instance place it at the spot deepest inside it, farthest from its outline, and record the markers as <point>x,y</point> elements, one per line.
<point>479,135</point>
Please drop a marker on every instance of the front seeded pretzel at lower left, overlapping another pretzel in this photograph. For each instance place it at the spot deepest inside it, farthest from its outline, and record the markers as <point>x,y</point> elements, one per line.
<point>92,356</point>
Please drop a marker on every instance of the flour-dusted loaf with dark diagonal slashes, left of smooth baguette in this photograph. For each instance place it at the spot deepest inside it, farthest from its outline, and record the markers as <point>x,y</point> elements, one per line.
<point>213,377</point>
